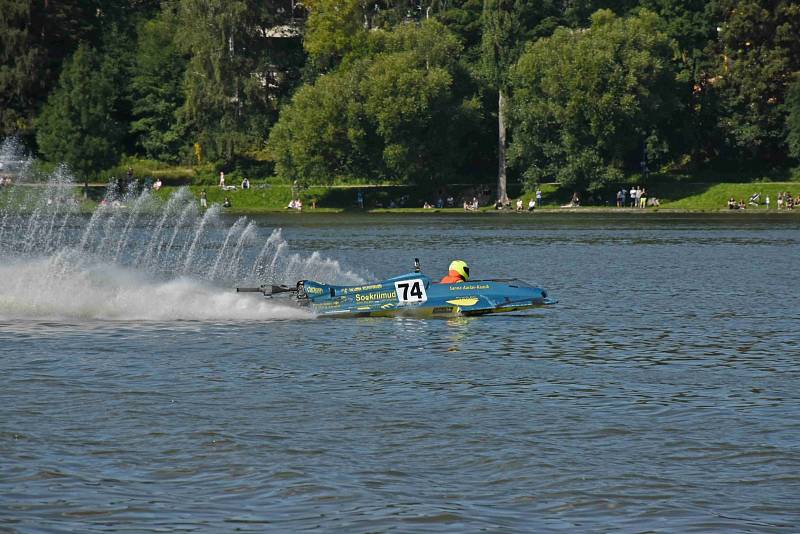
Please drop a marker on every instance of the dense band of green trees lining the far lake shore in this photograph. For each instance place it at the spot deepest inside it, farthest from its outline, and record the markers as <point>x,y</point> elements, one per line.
<point>582,92</point>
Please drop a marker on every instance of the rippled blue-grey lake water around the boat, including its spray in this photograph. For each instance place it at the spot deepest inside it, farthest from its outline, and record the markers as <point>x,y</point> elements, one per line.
<point>139,392</point>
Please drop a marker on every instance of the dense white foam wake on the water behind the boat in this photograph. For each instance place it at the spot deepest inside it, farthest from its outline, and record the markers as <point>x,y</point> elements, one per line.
<point>64,286</point>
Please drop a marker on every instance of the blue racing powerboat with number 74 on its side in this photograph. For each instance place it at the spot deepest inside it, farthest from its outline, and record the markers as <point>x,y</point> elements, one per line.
<point>412,294</point>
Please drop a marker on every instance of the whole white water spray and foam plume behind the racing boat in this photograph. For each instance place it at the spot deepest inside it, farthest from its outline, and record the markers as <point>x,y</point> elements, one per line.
<point>135,257</point>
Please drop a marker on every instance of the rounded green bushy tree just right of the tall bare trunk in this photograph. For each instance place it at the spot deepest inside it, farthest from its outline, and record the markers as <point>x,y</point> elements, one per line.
<point>585,101</point>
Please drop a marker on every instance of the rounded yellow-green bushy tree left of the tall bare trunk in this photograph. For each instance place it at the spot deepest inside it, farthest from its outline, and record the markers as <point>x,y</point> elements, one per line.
<point>393,115</point>
